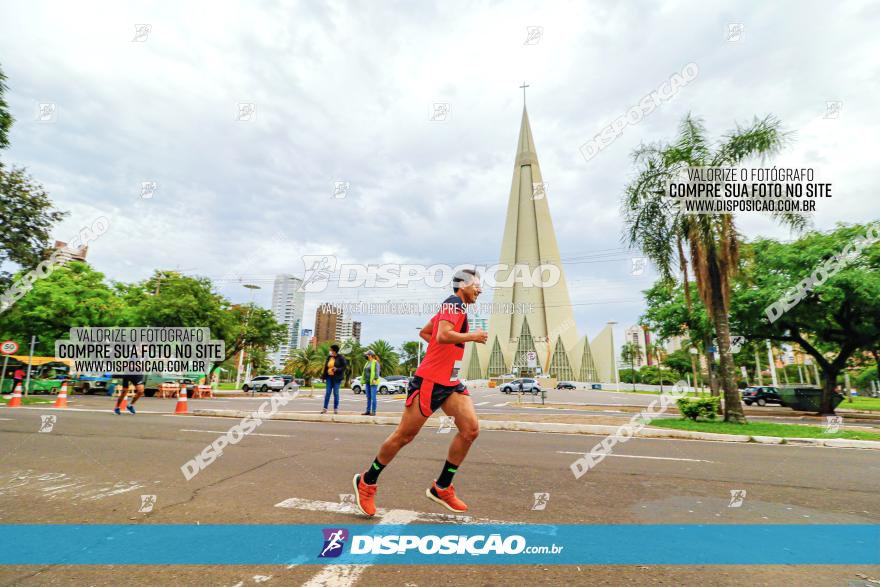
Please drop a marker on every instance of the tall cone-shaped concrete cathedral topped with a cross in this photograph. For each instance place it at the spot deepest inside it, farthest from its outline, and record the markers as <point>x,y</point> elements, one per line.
<point>528,246</point>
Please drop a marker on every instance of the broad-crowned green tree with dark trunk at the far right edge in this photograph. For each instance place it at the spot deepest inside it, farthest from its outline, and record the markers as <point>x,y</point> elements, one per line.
<point>832,320</point>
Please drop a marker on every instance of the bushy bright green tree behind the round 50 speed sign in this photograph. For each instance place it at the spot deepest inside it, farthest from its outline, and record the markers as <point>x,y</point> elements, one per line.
<point>71,296</point>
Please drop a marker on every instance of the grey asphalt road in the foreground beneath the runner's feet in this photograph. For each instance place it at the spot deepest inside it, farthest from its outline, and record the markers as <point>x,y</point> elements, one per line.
<point>92,467</point>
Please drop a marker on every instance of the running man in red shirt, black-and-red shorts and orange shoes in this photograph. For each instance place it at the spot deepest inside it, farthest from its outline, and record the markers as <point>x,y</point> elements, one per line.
<point>435,385</point>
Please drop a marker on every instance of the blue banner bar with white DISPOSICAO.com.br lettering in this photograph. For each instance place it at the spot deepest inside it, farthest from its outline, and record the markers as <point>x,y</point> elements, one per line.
<point>433,544</point>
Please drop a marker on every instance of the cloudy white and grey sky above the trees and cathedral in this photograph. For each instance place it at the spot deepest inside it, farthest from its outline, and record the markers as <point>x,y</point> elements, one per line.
<point>345,92</point>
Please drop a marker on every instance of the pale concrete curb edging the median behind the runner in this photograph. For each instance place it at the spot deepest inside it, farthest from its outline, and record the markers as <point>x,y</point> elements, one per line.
<point>559,428</point>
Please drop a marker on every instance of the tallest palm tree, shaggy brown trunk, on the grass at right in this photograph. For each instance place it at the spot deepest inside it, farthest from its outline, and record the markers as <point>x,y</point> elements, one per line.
<point>656,226</point>
